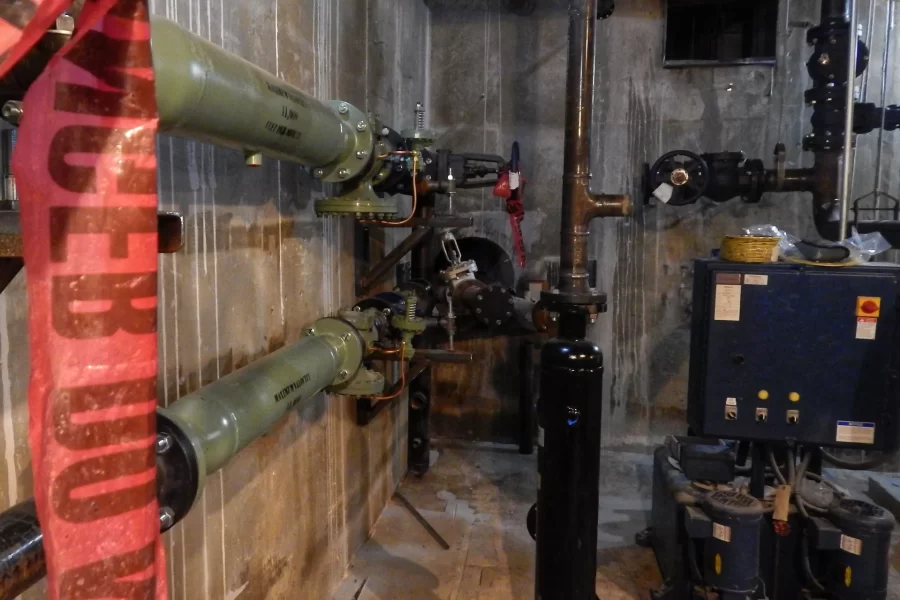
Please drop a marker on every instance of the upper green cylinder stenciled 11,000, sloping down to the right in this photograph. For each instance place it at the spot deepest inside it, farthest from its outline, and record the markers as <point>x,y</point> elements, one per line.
<point>206,93</point>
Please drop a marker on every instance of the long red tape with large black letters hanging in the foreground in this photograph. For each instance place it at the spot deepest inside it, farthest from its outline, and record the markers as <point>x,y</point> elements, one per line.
<point>85,165</point>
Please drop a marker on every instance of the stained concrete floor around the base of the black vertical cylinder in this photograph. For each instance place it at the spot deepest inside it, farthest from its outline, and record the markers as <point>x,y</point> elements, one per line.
<point>477,497</point>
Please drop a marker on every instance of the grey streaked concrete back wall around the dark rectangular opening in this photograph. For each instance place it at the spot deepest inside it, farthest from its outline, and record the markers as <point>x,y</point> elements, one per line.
<point>497,78</point>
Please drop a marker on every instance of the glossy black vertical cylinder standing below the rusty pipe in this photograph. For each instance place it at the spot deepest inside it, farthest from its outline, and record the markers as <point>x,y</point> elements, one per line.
<point>569,415</point>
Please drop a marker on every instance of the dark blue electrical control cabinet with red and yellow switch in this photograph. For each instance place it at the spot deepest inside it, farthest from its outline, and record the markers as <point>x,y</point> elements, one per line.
<point>785,351</point>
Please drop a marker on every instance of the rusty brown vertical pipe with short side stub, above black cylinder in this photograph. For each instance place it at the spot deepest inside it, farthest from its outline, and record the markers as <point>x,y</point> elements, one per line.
<point>579,205</point>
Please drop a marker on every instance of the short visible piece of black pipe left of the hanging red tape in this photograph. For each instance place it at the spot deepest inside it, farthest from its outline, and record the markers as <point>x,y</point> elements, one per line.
<point>22,562</point>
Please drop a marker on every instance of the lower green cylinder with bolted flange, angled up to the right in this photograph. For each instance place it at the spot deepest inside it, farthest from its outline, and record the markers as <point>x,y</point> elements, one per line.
<point>227,415</point>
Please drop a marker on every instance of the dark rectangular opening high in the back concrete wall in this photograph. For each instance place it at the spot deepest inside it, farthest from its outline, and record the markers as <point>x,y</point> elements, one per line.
<point>720,32</point>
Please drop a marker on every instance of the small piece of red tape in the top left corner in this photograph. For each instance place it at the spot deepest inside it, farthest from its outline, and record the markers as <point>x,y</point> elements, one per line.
<point>22,23</point>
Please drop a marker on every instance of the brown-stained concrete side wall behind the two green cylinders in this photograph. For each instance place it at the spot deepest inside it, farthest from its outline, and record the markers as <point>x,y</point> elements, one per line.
<point>283,519</point>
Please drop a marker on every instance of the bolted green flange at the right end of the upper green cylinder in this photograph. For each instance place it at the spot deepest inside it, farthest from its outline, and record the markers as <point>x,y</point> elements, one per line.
<point>359,130</point>
